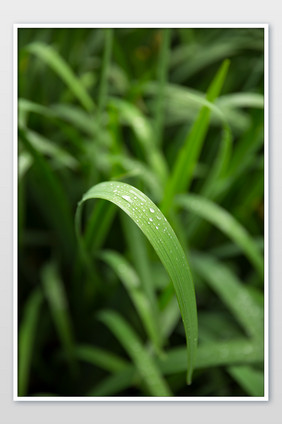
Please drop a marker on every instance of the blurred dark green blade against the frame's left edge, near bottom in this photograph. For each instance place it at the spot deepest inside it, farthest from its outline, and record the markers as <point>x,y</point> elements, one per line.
<point>27,334</point>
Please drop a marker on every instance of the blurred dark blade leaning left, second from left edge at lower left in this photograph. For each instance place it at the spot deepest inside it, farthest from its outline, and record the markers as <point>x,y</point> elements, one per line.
<point>56,297</point>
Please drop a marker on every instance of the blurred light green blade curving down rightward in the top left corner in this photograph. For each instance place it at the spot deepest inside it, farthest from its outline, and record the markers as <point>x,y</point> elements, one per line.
<point>52,58</point>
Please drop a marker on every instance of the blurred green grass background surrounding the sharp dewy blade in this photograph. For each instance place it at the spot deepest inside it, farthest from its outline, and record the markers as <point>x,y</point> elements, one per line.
<point>179,114</point>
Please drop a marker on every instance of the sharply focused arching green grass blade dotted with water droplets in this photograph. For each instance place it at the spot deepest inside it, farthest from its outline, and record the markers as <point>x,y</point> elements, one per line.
<point>162,237</point>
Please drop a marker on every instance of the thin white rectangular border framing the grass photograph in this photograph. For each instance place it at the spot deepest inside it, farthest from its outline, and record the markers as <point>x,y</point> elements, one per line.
<point>15,217</point>
